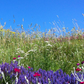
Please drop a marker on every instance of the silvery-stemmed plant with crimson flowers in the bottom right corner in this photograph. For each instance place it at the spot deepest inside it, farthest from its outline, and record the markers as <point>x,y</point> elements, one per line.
<point>81,70</point>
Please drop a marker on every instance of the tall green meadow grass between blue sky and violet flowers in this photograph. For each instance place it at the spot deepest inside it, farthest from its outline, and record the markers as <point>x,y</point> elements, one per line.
<point>63,53</point>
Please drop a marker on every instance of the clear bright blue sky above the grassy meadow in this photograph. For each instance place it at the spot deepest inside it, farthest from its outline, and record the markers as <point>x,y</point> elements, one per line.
<point>46,13</point>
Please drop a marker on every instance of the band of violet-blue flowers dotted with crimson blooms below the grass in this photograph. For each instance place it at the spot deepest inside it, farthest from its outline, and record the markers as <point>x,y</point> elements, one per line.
<point>14,74</point>
